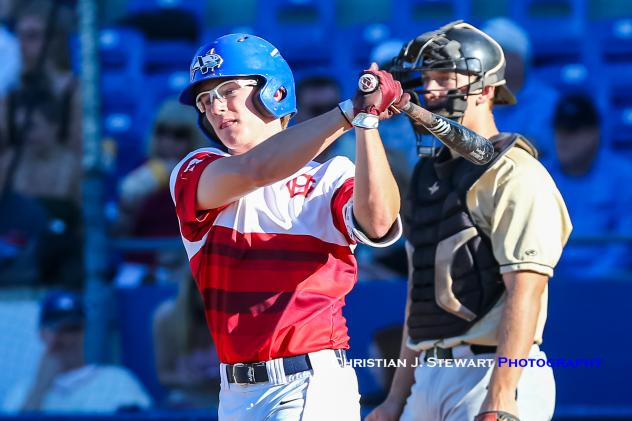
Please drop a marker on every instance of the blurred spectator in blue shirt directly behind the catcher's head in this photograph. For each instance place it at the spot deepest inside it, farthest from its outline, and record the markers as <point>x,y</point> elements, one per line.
<point>532,115</point>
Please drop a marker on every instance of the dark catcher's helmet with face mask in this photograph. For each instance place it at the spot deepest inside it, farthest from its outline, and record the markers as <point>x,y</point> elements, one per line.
<point>456,48</point>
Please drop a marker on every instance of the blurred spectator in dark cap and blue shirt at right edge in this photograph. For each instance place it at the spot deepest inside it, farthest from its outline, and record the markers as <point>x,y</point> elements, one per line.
<point>596,186</point>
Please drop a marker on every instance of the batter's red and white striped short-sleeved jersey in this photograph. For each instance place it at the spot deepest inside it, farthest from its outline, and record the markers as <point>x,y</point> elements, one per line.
<point>273,267</point>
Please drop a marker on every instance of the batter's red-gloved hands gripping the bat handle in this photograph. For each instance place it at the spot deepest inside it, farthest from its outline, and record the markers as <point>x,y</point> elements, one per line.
<point>377,91</point>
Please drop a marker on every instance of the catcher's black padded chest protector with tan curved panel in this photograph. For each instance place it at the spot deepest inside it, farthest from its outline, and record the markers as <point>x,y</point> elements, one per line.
<point>456,279</point>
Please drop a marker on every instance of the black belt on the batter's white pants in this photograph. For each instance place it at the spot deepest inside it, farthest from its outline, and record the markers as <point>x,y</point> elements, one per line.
<point>251,373</point>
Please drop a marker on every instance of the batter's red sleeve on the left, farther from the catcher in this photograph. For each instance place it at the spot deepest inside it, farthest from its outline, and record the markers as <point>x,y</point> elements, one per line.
<point>183,185</point>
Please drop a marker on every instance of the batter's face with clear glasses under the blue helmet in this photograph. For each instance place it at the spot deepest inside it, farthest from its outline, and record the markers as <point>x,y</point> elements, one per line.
<point>235,119</point>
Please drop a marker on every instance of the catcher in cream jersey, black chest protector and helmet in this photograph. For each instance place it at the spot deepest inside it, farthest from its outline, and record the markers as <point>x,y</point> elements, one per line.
<point>482,244</point>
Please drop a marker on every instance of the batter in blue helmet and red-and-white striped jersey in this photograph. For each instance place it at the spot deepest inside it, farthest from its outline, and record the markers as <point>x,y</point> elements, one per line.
<point>270,234</point>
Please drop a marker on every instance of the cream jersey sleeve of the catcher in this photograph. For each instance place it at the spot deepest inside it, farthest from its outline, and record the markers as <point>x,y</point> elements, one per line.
<point>521,209</point>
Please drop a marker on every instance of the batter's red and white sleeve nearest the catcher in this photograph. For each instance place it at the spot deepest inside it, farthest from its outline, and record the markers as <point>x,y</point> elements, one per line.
<point>342,210</point>
